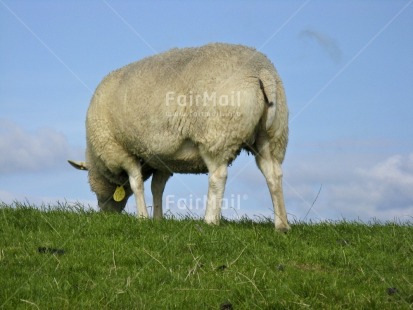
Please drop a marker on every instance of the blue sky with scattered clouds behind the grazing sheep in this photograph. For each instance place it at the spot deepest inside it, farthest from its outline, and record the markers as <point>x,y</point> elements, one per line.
<point>347,67</point>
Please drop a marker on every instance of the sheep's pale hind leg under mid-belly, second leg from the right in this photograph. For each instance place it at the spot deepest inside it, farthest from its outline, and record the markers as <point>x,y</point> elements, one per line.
<point>217,179</point>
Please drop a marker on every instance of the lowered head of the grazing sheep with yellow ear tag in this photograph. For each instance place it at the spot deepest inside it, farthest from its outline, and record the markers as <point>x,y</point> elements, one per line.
<point>111,197</point>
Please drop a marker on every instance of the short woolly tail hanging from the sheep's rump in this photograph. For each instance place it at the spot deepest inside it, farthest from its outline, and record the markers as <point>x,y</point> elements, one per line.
<point>268,86</point>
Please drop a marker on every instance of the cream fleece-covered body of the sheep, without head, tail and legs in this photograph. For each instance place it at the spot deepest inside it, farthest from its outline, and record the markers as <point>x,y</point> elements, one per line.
<point>131,112</point>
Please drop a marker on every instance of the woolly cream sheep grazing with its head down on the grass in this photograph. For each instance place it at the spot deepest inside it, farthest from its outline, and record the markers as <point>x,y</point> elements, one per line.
<point>189,110</point>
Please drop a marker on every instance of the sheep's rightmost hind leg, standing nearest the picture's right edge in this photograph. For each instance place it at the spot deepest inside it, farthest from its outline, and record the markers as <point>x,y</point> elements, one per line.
<point>271,169</point>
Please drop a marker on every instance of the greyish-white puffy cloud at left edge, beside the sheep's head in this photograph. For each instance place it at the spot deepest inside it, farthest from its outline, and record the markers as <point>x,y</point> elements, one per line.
<point>24,151</point>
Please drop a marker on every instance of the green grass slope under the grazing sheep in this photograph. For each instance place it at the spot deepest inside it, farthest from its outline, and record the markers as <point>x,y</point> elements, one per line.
<point>74,259</point>
